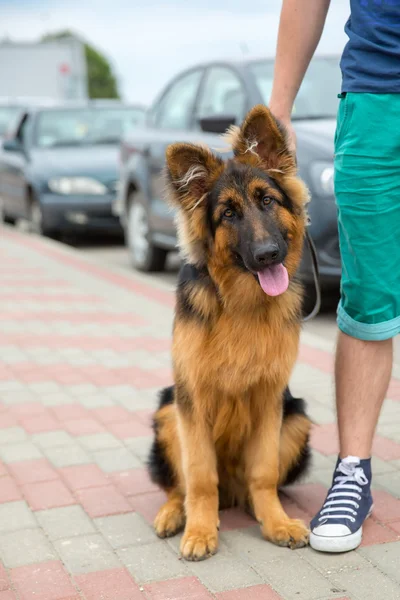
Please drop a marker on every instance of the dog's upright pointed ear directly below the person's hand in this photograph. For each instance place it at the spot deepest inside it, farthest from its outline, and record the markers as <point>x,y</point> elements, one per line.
<point>262,136</point>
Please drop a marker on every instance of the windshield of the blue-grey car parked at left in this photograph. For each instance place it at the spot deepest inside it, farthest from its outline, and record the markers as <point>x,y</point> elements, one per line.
<point>76,127</point>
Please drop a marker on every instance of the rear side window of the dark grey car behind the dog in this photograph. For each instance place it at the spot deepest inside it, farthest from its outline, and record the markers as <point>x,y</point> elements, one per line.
<point>176,106</point>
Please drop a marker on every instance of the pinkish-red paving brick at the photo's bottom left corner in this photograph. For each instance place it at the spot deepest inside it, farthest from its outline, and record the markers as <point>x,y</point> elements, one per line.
<point>43,581</point>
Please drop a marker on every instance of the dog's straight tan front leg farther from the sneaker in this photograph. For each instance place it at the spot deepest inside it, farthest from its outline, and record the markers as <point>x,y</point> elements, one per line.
<point>200,538</point>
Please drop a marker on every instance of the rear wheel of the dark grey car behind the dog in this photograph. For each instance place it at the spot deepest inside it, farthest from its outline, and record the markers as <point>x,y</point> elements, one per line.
<point>144,255</point>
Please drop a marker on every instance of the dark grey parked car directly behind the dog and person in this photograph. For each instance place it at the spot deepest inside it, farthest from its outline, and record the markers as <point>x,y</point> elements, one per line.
<point>197,106</point>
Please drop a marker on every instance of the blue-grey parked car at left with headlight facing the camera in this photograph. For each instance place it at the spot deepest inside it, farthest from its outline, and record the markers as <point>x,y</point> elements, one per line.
<point>59,170</point>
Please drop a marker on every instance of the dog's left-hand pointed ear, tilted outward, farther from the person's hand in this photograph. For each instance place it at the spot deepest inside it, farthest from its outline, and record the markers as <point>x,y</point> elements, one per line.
<point>191,170</point>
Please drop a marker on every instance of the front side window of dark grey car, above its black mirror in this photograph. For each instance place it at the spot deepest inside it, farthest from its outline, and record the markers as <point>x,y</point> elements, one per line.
<point>223,93</point>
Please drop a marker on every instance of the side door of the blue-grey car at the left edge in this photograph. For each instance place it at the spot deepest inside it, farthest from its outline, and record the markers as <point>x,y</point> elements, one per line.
<point>12,172</point>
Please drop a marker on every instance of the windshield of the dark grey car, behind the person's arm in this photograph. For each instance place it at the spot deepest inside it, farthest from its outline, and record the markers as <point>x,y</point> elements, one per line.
<point>317,96</point>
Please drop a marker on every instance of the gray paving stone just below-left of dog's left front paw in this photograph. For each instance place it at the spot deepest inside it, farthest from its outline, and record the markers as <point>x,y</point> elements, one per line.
<point>152,562</point>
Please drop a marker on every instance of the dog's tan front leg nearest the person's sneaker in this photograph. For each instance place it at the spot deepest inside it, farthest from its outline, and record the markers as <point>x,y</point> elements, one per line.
<point>262,473</point>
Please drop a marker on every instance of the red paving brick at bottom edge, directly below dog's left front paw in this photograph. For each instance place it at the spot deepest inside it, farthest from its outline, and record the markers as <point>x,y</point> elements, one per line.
<point>187,588</point>
